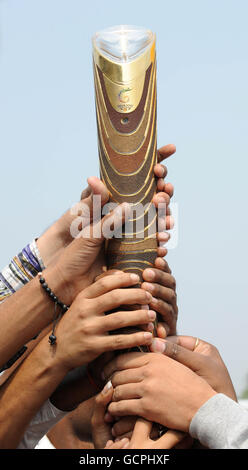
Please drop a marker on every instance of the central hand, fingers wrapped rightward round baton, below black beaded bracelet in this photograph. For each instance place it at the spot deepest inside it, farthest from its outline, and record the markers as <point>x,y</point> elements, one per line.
<point>82,334</point>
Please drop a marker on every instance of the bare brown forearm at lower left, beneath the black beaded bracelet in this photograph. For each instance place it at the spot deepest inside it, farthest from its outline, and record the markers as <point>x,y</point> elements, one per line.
<point>26,391</point>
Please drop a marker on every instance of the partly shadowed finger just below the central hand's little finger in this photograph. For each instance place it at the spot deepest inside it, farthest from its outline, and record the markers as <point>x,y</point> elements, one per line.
<point>125,361</point>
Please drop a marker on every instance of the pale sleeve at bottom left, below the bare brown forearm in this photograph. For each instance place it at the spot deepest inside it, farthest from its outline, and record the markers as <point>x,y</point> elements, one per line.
<point>45,419</point>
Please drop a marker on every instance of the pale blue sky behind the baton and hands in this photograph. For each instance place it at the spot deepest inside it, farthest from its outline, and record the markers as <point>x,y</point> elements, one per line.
<point>48,141</point>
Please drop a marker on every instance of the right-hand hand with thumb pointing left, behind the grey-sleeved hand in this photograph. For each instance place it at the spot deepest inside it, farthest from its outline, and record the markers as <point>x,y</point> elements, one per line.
<point>201,357</point>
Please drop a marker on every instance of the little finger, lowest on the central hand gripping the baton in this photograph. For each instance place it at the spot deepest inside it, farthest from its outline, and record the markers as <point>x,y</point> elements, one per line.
<point>125,341</point>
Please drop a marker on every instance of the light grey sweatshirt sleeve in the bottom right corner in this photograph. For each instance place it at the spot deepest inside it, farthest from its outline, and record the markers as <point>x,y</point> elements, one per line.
<point>221,423</point>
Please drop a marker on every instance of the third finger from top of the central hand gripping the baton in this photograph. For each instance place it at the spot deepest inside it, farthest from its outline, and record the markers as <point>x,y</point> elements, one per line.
<point>117,320</point>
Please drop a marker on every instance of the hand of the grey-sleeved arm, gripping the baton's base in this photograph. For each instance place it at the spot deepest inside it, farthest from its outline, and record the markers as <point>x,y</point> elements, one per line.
<point>156,388</point>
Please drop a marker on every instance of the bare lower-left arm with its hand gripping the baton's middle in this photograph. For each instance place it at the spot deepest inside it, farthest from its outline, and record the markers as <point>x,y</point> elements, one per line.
<point>81,337</point>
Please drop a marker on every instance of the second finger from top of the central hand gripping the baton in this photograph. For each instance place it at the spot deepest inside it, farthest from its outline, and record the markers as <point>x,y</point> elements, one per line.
<point>118,297</point>
